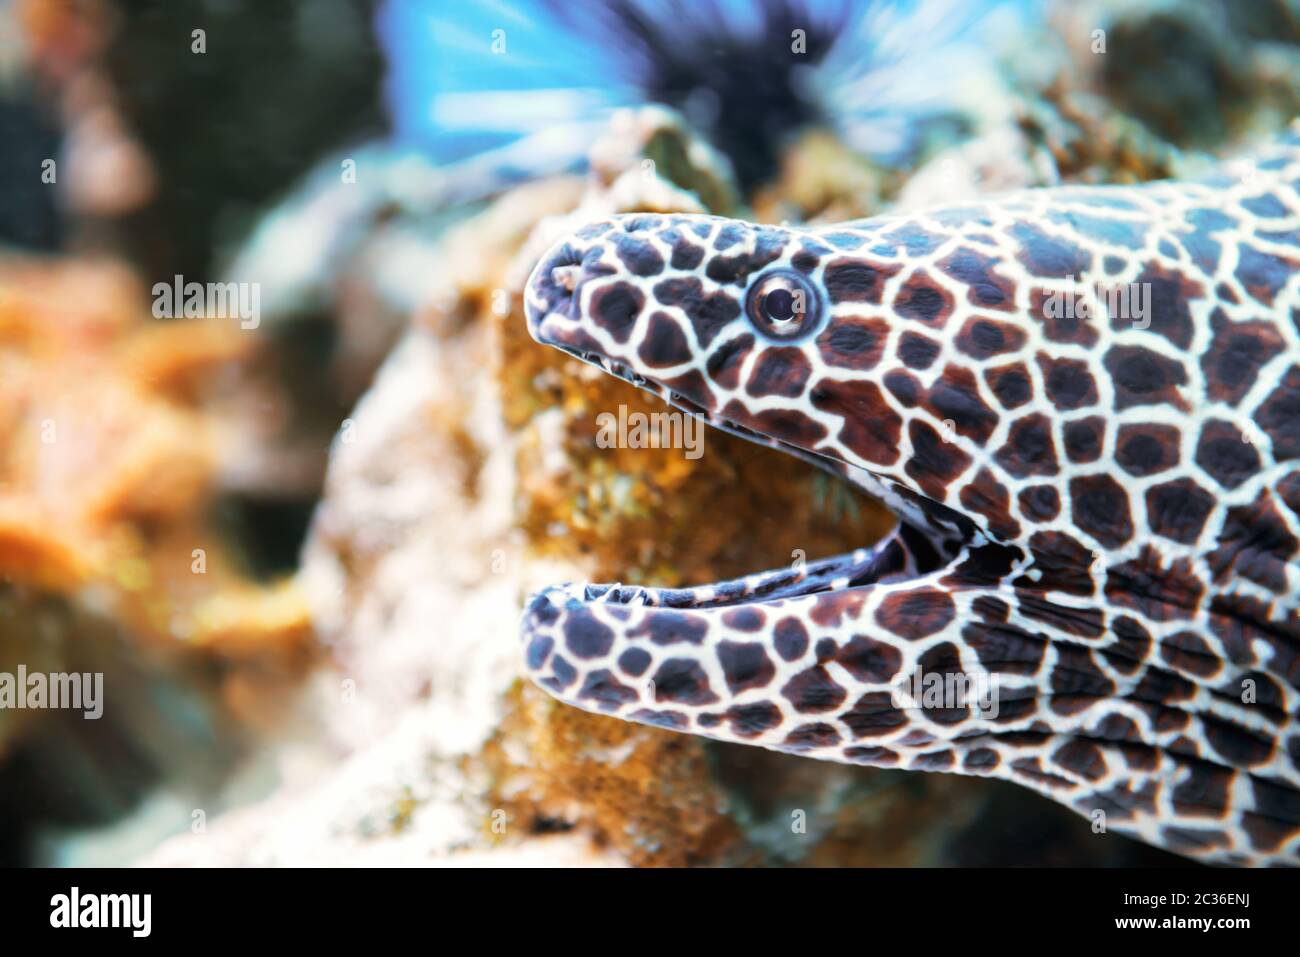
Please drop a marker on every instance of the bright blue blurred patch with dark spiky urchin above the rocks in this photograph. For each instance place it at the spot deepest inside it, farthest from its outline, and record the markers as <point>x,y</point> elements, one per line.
<point>544,75</point>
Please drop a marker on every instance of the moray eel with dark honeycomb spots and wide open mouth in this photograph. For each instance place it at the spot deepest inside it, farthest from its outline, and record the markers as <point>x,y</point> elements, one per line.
<point>1084,406</point>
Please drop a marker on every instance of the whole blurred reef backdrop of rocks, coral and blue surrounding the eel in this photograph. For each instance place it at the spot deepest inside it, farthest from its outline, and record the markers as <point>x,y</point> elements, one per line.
<point>294,535</point>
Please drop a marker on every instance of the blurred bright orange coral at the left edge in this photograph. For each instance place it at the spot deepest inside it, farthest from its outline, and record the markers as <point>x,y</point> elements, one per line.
<point>109,461</point>
